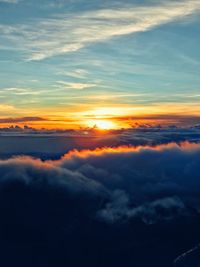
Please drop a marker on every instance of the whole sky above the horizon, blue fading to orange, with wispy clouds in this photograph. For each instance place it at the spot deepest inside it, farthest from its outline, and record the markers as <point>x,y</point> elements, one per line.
<point>75,63</point>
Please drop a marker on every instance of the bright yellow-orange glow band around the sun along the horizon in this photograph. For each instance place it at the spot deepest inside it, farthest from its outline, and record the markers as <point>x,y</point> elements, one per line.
<point>113,116</point>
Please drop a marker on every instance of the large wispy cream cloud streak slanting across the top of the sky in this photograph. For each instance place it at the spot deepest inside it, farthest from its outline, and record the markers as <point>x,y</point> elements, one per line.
<point>71,32</point>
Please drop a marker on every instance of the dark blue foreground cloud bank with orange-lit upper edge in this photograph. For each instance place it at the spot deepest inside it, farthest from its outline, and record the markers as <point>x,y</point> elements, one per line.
<point>120,206</point>
